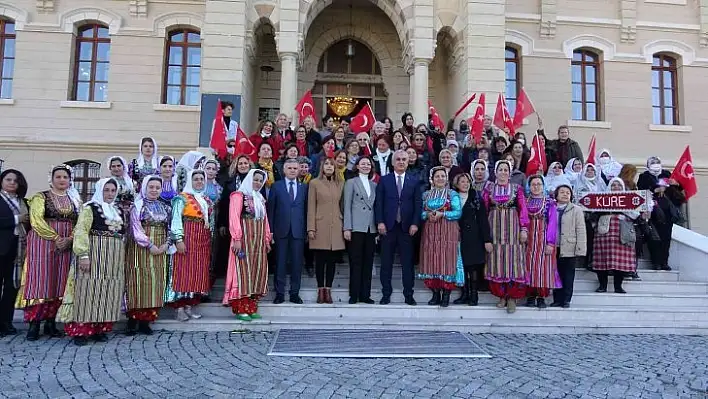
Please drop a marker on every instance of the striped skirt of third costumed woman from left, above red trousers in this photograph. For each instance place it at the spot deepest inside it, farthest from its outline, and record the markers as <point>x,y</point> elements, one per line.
<point>145,274</point>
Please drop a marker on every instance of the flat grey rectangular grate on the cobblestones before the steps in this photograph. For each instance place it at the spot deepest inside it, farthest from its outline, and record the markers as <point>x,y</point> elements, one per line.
<point>375,343</point>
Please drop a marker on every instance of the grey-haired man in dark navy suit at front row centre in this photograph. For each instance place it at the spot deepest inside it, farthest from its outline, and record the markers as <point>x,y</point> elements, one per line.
<point>397,212</point>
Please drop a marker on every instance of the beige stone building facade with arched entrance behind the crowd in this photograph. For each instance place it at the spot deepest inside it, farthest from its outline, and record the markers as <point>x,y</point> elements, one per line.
<point>83,79</point>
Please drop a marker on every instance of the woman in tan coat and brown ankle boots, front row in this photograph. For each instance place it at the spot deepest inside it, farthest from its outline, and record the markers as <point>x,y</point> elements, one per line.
<point>324,226</point>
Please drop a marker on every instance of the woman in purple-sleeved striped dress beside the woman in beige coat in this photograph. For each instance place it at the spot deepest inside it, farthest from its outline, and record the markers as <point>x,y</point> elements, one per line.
<point>541,264</point>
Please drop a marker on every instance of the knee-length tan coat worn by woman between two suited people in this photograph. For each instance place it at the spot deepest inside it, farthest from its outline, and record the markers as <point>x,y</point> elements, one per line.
<point>324,214</point>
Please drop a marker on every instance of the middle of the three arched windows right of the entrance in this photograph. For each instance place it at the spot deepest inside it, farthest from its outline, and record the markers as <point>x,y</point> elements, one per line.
<point>585,69</point>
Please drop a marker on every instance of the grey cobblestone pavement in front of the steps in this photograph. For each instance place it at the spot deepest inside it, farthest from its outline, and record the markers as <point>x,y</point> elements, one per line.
<point>171,364</point>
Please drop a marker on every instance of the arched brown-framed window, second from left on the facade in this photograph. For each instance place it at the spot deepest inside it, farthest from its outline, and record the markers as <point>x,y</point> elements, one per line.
<point>91,63</point>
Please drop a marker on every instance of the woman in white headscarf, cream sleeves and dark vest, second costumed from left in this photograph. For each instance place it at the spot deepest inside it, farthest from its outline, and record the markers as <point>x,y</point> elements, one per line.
<point>94,290</point>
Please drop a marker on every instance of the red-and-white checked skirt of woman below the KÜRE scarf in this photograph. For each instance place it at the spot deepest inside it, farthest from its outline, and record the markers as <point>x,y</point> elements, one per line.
<point>610,254</point>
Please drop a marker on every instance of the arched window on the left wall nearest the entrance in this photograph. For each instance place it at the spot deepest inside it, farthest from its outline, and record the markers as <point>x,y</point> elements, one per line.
<point>183,60</point>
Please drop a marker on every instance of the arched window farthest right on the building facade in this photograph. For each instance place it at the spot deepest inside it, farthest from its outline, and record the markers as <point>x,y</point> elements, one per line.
<point>664,91</point>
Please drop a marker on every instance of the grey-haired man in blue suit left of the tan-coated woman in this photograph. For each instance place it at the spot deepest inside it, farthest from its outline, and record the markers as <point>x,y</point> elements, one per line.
<point>287,207</point>
